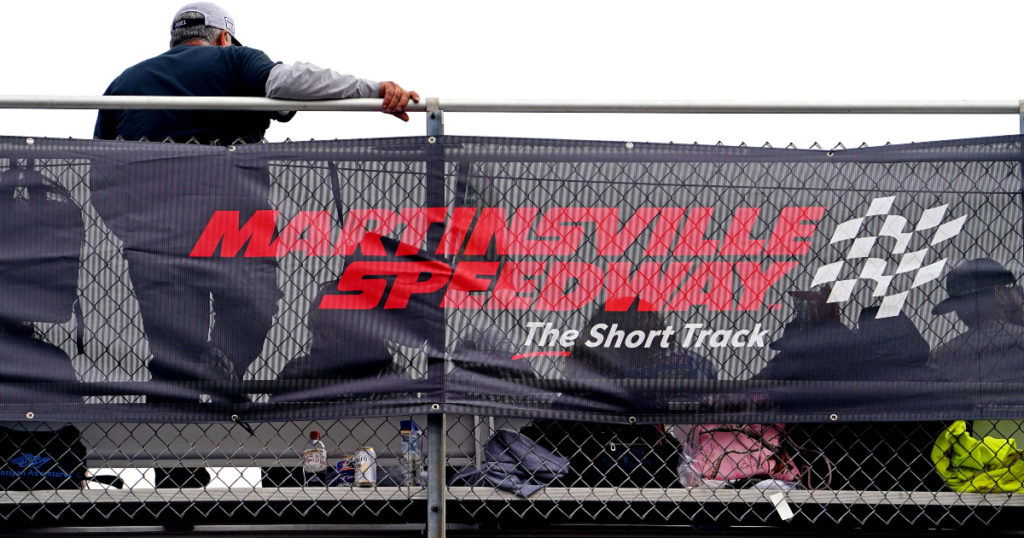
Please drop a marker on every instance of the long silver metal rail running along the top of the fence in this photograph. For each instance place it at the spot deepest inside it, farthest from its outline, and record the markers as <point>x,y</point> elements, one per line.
<point>545,106</point>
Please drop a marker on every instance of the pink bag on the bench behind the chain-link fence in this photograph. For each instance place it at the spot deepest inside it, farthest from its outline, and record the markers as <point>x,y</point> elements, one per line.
<point>728,452</point>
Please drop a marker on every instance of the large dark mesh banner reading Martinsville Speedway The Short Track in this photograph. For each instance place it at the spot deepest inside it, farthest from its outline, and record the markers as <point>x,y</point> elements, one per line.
<point>552,279</point>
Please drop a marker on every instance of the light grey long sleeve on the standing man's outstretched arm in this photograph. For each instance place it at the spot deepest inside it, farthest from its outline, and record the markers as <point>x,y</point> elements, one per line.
<point>306,81</point>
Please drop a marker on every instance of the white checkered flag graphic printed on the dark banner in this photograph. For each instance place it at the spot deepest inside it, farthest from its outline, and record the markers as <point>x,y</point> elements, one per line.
<point>873,269</point>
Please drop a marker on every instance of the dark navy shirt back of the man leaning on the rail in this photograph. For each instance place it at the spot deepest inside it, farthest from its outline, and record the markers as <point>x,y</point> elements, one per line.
<point>188,70</point>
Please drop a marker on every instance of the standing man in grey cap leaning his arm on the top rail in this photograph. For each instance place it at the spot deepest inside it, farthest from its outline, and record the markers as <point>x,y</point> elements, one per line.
<point>144,202</point>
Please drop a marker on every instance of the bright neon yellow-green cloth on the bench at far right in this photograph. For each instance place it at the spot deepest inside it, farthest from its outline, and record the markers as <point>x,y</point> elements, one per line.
<point>970,466</point>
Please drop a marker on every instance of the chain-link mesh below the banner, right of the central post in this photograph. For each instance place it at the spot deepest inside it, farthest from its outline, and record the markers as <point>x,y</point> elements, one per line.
<point>829,475</point>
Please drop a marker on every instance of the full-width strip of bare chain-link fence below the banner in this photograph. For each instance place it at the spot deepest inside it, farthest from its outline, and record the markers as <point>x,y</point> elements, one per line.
<point>847,475</point>
